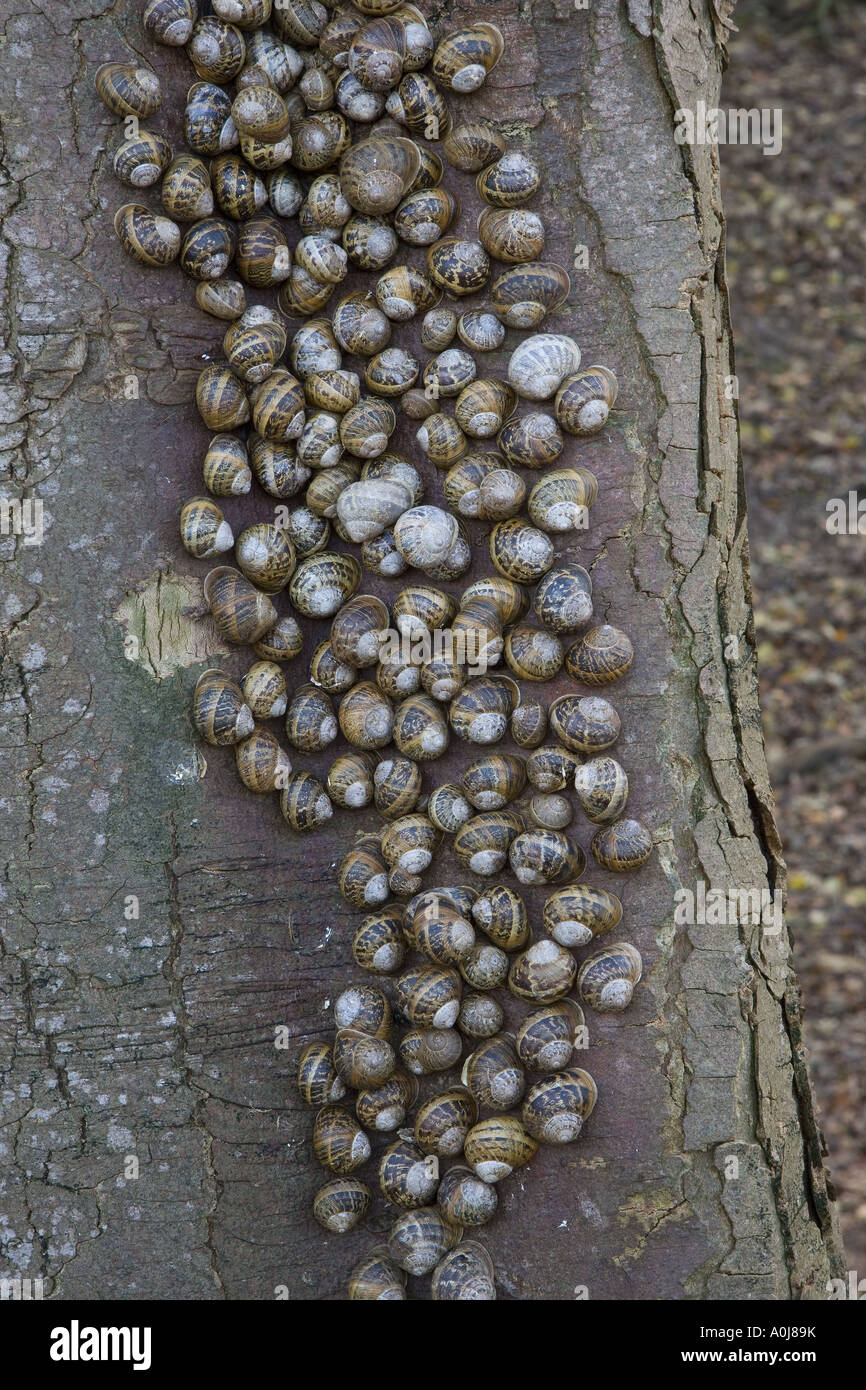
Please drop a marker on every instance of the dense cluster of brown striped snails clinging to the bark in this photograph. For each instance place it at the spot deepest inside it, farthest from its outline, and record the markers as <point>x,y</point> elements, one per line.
<point>309,156</point>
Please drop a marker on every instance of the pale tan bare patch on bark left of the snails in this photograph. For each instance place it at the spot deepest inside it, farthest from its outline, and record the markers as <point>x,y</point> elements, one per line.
<point>165,628</point>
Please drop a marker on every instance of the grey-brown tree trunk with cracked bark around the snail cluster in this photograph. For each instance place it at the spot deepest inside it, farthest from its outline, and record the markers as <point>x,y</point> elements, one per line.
<point>162,925</point>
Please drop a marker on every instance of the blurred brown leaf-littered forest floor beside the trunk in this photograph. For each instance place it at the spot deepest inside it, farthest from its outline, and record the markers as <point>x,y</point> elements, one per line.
<point>797,269</point>
